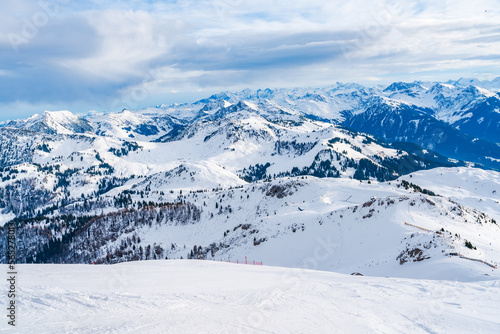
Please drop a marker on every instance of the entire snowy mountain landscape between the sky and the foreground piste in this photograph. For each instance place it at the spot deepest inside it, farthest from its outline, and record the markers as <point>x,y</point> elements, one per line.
<point>265,174</point>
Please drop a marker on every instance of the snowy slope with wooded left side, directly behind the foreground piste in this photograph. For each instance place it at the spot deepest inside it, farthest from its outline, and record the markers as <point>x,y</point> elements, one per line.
<point>378,229</point>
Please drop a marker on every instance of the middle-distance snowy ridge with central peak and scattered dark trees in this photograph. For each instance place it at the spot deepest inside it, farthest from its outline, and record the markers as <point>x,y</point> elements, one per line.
<point>241,145</point>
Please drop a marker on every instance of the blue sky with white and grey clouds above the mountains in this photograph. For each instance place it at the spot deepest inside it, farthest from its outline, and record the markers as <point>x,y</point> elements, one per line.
<point>108,55</point>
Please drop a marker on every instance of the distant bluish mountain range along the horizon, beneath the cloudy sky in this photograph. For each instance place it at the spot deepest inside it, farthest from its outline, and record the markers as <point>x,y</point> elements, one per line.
<point>460,120</point>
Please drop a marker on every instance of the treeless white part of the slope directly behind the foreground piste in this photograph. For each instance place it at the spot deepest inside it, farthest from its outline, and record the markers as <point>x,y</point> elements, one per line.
<point>282,222</point>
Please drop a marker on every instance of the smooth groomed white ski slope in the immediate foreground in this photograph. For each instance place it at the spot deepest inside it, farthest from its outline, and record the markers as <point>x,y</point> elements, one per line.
<point>192,296</point>
